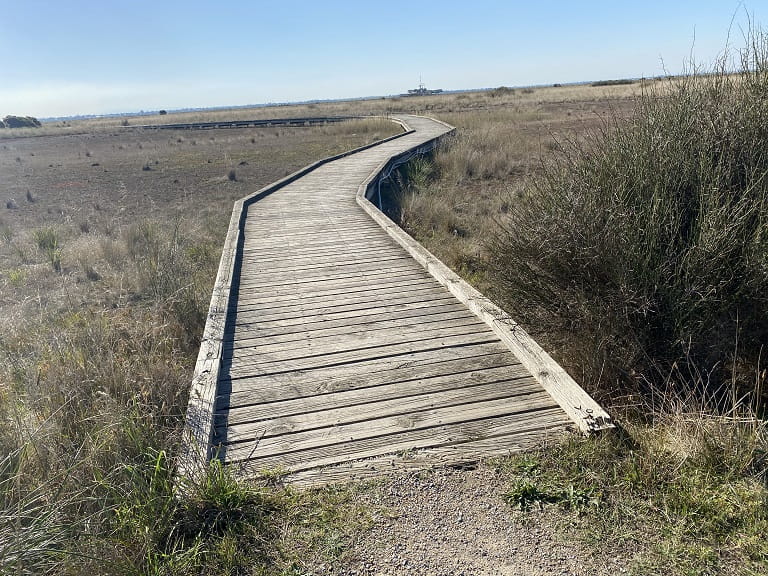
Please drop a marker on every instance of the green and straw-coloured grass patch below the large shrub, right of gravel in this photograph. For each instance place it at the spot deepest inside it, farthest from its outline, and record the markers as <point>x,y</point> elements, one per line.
<point>669,498</point>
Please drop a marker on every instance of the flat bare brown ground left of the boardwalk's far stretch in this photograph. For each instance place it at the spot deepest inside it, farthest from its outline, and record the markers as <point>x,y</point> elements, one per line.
<point>114,176</point>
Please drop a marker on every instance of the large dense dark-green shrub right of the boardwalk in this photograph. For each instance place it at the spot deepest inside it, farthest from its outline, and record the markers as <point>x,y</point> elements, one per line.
<point>645,248</point>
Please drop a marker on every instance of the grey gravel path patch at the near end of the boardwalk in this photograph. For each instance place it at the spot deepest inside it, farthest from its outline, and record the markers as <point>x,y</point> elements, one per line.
<point>455,522</point>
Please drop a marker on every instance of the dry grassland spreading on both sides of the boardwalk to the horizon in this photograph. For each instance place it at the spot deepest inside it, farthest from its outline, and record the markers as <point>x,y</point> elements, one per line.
<point>109,241</point>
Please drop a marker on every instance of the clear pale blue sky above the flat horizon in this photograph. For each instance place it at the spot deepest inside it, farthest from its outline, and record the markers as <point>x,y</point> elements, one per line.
<point>70,57</point>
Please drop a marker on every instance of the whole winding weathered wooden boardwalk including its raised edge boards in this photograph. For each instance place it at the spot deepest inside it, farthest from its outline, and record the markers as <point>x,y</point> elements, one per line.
<point>338,347</point>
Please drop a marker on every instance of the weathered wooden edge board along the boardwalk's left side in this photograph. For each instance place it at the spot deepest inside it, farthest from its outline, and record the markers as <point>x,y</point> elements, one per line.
<point>196,443</point>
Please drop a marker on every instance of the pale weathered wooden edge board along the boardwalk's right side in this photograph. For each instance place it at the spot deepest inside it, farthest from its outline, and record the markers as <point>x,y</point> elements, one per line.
<point>587,414</point>
